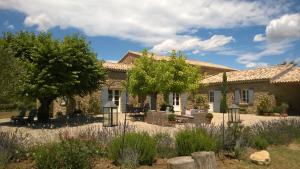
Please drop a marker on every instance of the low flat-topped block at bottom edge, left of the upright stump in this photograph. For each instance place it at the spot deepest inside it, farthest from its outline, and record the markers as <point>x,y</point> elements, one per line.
<point>184,162</point>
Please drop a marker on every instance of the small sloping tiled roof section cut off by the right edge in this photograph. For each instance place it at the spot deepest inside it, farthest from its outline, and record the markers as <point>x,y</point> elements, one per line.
<point>291,76</point>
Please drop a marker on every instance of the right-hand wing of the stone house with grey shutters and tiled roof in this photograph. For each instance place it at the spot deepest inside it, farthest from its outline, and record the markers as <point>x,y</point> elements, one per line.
<point>279,83</point>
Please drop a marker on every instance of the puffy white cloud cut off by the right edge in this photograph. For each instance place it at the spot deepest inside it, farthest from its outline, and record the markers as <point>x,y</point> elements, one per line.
<point>287,27</point>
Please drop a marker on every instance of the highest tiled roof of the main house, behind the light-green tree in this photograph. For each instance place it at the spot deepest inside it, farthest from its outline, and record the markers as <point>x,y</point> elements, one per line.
<point>192,62</point>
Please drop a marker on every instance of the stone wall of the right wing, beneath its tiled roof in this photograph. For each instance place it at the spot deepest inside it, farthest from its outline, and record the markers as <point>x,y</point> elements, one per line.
<point>275,92</point>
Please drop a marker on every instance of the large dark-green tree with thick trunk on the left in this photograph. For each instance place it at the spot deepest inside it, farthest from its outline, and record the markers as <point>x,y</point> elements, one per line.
<point>55,67</point>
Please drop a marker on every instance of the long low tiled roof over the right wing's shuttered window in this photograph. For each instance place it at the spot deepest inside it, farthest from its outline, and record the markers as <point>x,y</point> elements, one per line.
<point>259,74</point>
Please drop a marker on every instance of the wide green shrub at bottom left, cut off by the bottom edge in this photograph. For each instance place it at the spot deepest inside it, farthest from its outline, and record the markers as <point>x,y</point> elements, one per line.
<point>67,154</point>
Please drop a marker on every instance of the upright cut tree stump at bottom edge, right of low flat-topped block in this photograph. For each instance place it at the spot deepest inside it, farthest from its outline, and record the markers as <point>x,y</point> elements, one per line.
<point>205,160</point>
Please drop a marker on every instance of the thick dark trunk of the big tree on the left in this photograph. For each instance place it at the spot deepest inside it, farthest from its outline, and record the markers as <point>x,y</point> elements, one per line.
<point>43,111</point>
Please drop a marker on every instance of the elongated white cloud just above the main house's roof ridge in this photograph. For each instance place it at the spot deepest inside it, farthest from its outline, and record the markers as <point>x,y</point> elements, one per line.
<point>189,43</point>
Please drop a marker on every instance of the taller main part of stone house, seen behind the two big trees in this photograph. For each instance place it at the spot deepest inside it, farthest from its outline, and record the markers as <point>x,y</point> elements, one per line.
<point>113,90</point>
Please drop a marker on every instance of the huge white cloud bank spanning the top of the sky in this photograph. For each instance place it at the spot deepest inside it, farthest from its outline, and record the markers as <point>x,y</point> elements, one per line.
<point>149,22</point>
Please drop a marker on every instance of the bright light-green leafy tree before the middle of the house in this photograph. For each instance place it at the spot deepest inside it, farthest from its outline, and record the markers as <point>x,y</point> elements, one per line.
<point>151,77</point>
